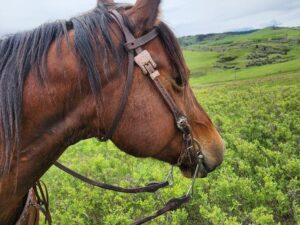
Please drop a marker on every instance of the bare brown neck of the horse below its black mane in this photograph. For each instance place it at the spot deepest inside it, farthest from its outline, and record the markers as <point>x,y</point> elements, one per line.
<point>55,116</point>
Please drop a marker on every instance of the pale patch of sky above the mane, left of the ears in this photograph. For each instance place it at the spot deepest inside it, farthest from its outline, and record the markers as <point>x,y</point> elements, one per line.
<point>21,15</point>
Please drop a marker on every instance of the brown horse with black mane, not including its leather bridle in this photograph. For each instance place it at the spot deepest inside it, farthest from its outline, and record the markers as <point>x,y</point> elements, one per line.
<point>62,83</point>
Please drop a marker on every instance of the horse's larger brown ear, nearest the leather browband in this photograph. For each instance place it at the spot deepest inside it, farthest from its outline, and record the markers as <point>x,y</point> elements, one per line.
<point>143,15</point>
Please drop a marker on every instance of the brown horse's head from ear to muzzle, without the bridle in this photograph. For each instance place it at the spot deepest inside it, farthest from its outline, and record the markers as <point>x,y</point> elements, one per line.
<point>147,127</point>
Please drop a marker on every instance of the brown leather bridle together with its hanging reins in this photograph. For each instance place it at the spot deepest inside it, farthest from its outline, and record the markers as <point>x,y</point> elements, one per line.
<point>191,152</point>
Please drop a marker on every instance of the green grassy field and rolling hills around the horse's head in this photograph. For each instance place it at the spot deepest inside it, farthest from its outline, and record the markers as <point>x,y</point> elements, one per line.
<point>256,109</point>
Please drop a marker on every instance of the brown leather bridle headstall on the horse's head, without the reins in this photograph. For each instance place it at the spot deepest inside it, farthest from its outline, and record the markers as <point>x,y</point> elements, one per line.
<point>148,66</point>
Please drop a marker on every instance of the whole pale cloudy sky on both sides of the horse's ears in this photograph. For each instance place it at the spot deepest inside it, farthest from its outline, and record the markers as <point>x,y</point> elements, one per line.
<point>186,17</point>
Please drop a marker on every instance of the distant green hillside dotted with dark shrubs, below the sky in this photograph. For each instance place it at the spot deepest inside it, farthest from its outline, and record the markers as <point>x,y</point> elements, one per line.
<point>238,52</point>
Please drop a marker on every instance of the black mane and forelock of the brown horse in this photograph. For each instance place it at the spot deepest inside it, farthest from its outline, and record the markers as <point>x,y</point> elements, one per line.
<point>22,52</point>
